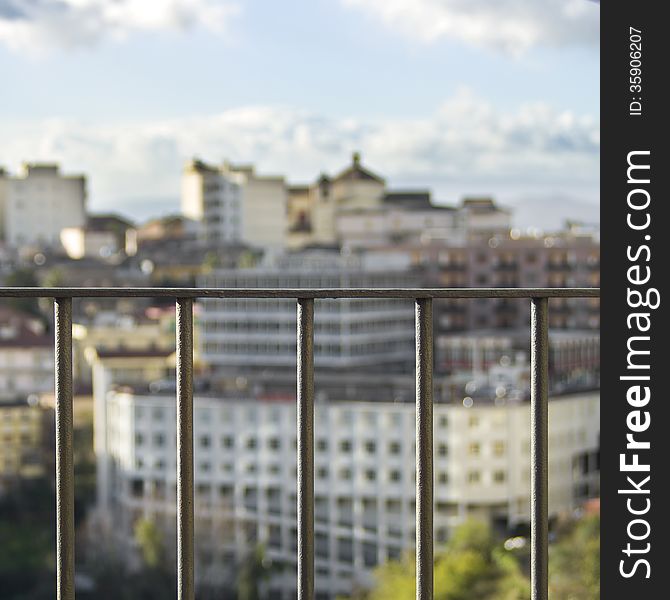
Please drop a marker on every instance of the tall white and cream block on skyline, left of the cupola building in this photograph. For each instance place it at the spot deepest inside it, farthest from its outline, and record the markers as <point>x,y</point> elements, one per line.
<point>232,203</point>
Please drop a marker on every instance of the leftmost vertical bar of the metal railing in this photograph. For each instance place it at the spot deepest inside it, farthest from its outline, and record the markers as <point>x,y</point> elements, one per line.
<point>64,457</point>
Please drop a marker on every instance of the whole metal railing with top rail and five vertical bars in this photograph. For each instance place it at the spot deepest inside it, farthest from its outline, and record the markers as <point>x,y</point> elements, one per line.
<point>184,298</point>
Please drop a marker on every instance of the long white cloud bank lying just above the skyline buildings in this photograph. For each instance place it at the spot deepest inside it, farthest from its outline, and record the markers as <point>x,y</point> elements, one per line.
<point>467,144</point>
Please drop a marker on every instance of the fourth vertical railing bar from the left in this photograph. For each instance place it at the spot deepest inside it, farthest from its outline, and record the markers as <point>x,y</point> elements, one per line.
<point>424,449</point>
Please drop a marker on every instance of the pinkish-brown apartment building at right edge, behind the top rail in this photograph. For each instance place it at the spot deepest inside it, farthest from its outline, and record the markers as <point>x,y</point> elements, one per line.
<point>566,258</point>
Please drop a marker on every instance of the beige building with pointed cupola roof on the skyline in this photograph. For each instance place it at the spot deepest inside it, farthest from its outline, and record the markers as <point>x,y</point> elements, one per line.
<point>356,211</point>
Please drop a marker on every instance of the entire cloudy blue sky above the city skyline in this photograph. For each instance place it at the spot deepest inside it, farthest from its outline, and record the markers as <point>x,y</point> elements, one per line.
<point>461,96</point>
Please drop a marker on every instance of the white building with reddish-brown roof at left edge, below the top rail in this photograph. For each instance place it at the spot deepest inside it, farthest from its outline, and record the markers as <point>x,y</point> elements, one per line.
<point>26,356</point>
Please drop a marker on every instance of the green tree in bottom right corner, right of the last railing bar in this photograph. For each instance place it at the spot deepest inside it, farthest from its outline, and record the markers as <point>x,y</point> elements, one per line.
<point>574,562</point>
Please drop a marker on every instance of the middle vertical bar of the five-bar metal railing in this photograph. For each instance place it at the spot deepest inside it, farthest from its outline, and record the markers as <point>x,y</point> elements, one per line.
<point>305,447</point>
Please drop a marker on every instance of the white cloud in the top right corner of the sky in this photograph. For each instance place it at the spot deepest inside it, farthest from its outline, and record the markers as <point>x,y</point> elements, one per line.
<point>513,26</point>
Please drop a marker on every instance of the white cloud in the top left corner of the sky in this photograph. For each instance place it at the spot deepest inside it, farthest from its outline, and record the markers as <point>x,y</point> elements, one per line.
<point>37,25</point>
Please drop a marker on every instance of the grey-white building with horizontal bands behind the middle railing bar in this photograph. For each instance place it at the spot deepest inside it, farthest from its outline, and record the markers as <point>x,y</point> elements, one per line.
<point>350,333</point>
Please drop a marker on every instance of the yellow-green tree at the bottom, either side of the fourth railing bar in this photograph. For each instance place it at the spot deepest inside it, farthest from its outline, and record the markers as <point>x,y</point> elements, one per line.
<point>472,566</point>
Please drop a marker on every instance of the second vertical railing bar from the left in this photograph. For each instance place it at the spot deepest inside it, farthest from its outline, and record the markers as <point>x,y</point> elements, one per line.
<point>185,536</point>
